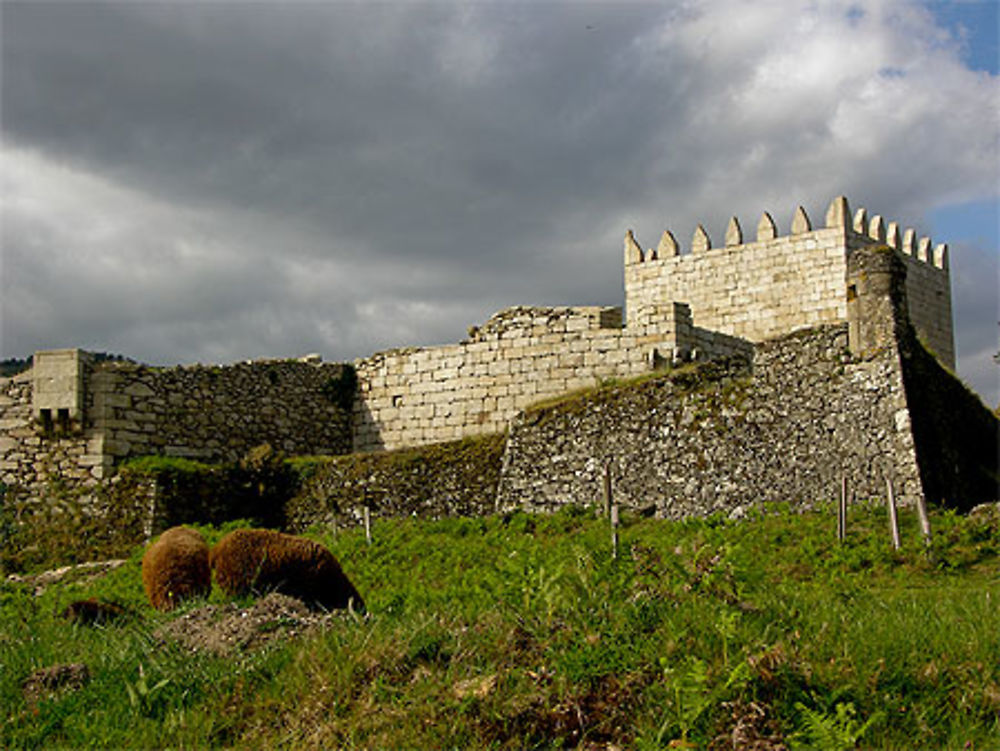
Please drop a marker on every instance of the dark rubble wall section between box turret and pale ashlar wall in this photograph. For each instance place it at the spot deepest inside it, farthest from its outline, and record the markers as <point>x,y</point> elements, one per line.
<point>218,413</point>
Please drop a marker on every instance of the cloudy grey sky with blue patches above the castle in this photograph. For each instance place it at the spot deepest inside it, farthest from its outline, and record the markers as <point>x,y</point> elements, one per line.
<point>217,181</point>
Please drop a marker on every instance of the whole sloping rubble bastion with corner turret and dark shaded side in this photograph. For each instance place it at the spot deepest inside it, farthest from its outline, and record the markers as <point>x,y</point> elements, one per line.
<point>809,411</point>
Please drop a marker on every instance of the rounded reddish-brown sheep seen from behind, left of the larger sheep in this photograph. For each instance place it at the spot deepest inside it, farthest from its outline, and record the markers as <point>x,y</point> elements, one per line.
<point>175,568</point>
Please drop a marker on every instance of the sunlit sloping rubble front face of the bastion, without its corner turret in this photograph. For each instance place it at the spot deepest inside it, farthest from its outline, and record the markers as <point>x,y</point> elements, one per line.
<point>725,435</point>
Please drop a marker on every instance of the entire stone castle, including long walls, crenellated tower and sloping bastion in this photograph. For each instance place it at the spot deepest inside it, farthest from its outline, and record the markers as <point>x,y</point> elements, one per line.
<point>812,349</point>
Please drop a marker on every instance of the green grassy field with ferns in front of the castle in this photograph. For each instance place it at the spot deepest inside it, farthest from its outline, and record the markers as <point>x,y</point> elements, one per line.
<point>523,632</point>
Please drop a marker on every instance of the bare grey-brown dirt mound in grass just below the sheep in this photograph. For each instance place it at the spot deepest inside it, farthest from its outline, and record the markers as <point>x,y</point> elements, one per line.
<point>221,629</point>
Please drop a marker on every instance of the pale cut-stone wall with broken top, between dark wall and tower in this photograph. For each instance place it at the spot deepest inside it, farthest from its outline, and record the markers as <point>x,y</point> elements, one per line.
<point>412,397</point>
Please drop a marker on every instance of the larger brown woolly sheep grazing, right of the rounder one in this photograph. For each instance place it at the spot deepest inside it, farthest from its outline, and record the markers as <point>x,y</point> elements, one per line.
<point>259,560</point>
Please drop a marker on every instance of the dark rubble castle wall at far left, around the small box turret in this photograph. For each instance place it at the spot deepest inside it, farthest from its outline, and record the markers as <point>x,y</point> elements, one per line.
<point>211,413</point>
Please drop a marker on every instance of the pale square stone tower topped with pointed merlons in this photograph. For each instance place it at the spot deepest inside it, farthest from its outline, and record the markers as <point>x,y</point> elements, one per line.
<point>776,284</point>
